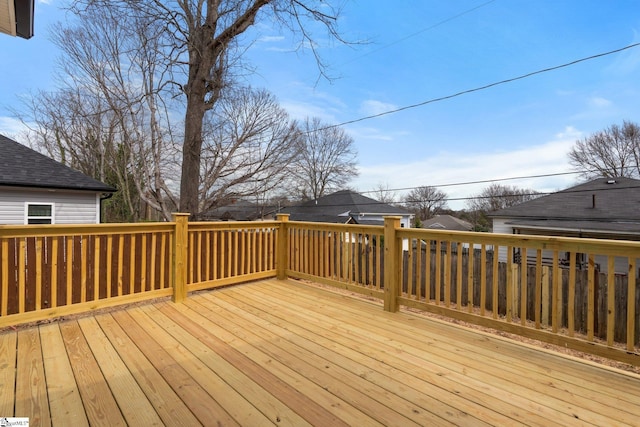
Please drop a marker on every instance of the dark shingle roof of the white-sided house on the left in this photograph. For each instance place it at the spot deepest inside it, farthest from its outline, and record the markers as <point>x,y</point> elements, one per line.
<point>21,166</point>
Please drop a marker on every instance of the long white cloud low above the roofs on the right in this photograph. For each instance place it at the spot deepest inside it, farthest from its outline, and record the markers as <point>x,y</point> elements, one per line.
<point>449,167</point>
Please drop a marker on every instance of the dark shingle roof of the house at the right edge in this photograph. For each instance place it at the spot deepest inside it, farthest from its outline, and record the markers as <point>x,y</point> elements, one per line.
<point>606,204</point>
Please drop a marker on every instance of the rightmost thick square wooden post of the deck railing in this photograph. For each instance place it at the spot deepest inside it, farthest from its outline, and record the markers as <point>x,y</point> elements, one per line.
<point>391,263</point>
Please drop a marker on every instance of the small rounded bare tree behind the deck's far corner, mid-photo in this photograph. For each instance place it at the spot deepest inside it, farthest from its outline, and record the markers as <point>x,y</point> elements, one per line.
<point>327,159</point>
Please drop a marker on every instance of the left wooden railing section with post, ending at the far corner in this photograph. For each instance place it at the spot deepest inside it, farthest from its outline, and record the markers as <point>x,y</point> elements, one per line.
<point>51,270</point>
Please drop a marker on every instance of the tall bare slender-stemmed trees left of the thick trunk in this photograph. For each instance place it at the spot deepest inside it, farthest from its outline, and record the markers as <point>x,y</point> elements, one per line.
<point>114,82</point>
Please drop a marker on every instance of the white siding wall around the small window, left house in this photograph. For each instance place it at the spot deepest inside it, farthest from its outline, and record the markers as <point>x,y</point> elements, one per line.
<point>69,207</point>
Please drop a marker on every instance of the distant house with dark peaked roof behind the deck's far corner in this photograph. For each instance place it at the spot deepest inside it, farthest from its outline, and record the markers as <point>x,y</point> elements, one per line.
<point>347,207</point>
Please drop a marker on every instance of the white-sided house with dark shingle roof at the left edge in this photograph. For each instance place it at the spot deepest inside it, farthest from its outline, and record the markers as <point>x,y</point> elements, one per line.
<point>35,189</point>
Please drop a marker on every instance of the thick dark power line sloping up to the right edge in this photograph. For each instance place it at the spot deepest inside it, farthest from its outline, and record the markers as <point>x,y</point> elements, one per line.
<point>477,89</point>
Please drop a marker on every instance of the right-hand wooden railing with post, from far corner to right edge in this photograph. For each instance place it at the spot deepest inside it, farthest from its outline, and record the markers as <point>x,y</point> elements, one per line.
<point>577,293</point>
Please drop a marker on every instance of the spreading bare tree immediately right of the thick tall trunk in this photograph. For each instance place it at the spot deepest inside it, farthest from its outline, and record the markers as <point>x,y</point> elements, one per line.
<point>249,142</point>
